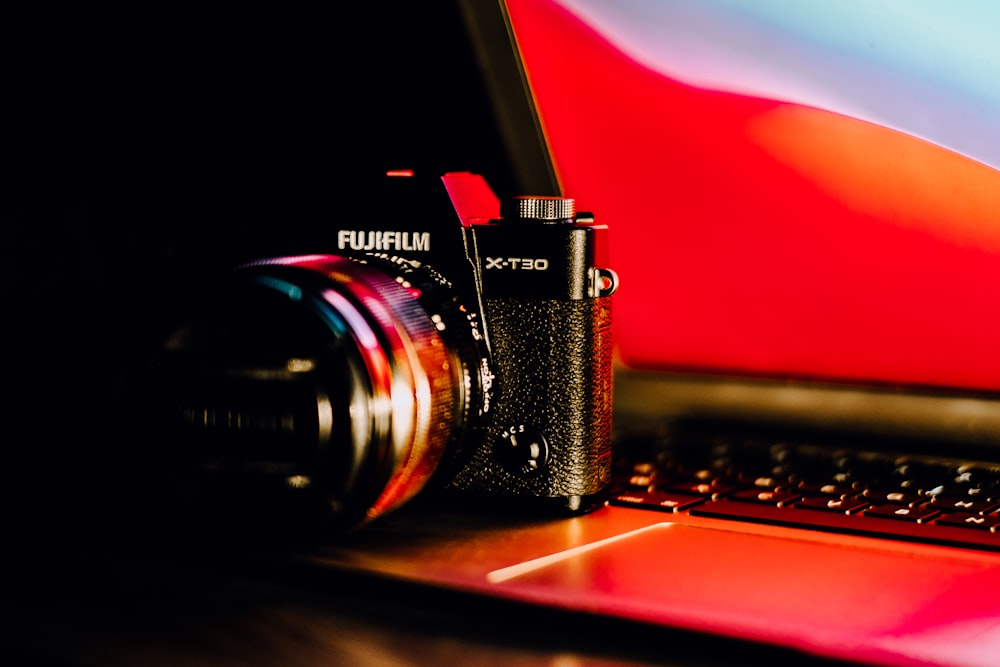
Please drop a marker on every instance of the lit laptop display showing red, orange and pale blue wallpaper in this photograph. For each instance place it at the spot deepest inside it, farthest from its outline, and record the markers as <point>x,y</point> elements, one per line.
<point>794,189</point>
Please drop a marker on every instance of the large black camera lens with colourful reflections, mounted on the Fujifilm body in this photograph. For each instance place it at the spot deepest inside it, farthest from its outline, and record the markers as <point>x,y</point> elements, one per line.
<point>324,381</point>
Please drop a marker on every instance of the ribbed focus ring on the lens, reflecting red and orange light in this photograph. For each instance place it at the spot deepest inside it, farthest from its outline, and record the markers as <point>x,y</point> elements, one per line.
<point>403,412</point>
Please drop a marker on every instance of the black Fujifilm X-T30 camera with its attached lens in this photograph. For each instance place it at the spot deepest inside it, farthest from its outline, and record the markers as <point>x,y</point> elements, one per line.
<point>443,340</point>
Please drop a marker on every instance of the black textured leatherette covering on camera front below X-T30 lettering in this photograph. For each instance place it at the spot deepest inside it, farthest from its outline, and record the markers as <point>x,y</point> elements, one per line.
<point>554,368</point>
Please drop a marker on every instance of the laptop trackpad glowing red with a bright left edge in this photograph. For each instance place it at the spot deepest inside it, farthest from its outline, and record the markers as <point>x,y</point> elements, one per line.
<point>761,587</point>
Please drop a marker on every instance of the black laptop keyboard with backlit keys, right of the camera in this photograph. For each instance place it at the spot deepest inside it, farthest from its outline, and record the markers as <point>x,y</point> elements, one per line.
<point>858,491</point>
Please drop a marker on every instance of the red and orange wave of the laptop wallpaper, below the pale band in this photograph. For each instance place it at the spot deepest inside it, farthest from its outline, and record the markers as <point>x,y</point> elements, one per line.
<point>769,237</point>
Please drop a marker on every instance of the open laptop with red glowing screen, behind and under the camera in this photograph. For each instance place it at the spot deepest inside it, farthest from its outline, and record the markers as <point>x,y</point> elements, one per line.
<point>801,199</point>
